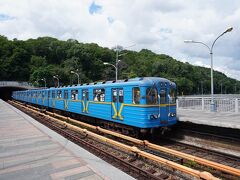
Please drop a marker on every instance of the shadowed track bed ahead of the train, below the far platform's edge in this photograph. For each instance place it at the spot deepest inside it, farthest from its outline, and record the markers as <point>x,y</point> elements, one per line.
<point>225,140</point>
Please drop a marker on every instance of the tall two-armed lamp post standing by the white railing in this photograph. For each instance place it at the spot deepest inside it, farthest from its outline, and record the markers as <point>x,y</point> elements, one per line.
<point>211,56</point>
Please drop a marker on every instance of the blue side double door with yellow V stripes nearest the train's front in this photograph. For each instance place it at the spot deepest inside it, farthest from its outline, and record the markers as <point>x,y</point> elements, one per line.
<point>117,103</point>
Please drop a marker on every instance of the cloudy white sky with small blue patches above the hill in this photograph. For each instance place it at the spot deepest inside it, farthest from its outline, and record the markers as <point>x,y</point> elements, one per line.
<point>158,25</point>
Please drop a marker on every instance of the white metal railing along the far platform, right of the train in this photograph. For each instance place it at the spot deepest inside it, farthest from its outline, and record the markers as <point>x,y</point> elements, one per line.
<point>223,104</point>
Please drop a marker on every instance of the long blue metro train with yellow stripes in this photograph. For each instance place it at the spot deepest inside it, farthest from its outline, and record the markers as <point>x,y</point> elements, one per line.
<point>140,103</point>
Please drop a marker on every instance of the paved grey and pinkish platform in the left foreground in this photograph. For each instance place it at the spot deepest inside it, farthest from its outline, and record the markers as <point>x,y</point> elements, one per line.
<point>29,150</point>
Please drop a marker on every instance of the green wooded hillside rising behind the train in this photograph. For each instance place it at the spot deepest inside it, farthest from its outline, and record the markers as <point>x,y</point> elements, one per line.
<point>34,59</point>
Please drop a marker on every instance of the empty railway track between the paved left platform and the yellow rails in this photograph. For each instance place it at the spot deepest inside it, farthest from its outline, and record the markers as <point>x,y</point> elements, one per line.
<point>126,161</point>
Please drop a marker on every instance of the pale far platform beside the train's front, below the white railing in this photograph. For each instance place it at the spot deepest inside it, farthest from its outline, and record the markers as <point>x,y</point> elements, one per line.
<point>218,119</point>
